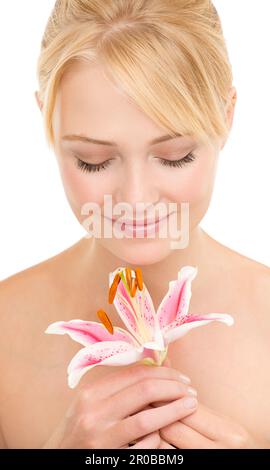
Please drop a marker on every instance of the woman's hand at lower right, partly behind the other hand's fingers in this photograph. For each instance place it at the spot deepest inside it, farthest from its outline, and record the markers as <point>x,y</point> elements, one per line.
<point>205,429</point>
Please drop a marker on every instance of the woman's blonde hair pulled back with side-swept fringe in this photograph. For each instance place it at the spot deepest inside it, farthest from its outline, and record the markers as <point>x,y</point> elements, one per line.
<point>168,56</point>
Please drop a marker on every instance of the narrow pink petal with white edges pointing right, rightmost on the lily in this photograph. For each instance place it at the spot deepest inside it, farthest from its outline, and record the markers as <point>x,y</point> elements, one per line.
<point>176,330</point>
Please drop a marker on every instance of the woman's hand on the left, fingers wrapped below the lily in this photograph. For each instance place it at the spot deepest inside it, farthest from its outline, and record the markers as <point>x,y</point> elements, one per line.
<point>110,411</point>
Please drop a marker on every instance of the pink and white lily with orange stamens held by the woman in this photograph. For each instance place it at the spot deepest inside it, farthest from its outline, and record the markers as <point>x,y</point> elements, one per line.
<point>148,333</point>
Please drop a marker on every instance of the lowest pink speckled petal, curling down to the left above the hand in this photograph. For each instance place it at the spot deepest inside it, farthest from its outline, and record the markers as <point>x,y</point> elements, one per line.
<point>103,353</point>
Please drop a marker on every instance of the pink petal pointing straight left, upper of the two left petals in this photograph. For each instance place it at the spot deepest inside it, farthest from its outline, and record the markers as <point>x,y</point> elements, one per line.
<point>89,332</point>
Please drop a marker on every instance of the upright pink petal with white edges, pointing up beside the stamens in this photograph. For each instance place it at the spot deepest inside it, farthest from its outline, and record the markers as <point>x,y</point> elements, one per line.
<point>175,304</point>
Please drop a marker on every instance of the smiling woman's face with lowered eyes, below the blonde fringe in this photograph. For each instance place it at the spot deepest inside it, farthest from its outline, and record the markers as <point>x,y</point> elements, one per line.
<point>89,104</point>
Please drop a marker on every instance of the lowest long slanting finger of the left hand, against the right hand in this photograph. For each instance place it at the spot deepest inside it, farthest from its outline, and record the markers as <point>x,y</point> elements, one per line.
<point>148,421</point>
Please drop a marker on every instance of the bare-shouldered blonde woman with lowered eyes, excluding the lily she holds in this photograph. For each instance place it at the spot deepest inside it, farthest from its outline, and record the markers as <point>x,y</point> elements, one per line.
<point>153,79</point>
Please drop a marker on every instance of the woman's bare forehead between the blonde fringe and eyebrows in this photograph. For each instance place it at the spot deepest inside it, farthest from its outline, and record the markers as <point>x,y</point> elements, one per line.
<point>88,102</point>
